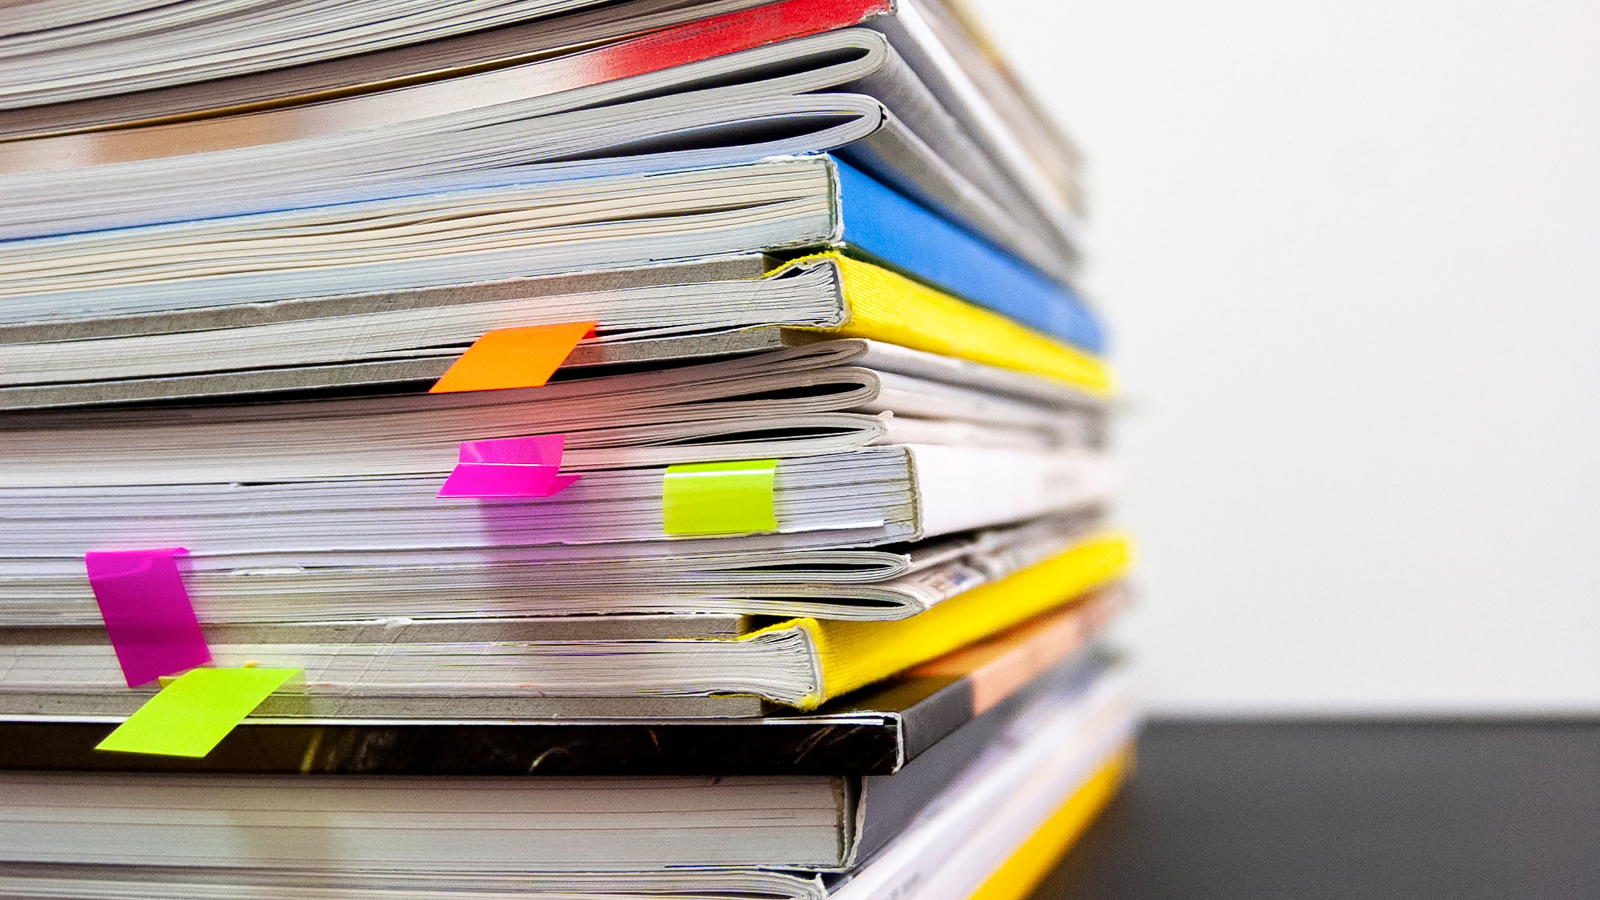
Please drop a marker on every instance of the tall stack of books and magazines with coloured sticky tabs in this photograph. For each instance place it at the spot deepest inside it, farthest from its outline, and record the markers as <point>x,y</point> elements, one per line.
<point>545,449</point>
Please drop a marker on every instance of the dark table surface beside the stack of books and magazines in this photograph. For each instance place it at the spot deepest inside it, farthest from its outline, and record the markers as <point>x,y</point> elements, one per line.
<point>1447,811</point>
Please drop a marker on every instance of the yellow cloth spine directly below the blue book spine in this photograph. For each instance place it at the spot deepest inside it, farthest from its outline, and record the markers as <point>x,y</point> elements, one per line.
<point>887,307</point>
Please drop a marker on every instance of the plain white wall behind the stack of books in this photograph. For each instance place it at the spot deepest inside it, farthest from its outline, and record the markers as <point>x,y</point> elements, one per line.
<point>1351,252</point>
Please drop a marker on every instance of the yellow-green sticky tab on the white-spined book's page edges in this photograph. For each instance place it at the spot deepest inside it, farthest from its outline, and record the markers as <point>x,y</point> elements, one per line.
<point>719,499</point>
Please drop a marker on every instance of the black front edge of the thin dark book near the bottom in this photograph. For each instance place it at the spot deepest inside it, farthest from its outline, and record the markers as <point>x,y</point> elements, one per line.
<point>422,749</point>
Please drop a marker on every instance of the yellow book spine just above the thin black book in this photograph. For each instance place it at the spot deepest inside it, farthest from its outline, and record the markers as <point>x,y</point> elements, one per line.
<point>857,654</point>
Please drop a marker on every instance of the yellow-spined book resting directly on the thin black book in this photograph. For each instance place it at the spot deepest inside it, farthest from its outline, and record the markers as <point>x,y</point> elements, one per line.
<point>796,664</point>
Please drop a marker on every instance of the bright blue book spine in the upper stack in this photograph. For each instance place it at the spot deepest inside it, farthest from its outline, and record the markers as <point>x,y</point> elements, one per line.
<point>902,235</point>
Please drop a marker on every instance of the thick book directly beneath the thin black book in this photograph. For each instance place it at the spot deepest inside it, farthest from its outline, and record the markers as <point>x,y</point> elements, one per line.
<point>442,826</point>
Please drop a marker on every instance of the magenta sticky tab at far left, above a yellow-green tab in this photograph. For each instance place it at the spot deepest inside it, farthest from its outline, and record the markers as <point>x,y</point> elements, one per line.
<point>148,614</point>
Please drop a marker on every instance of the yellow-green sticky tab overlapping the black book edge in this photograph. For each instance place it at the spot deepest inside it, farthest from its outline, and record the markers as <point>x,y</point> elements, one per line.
<point>196,712</point>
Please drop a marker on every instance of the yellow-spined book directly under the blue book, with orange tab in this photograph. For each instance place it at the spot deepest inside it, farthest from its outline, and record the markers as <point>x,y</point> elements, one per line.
<point>652,315</point>
